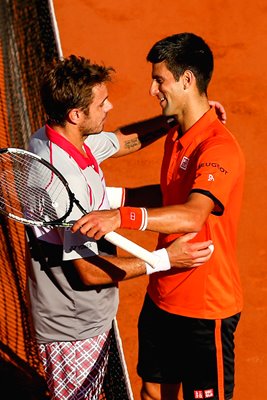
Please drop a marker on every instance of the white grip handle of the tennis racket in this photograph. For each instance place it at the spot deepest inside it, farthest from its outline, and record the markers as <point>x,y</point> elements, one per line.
<point>132,248</point>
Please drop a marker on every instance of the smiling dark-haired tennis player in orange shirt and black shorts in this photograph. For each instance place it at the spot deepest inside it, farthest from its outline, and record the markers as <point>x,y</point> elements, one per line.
<point>189,316</point>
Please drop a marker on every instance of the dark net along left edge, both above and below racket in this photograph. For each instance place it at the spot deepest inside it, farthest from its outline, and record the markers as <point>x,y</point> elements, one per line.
<point>26,43</point>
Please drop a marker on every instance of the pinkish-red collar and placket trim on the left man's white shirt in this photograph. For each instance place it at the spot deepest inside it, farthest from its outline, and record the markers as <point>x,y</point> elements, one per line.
<point>64,144</point>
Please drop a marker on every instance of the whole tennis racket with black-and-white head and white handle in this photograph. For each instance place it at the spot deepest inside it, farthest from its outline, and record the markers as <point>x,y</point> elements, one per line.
<point>33,192</point>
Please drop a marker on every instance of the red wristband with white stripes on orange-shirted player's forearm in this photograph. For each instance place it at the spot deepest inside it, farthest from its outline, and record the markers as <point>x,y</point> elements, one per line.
<point>133,218</point>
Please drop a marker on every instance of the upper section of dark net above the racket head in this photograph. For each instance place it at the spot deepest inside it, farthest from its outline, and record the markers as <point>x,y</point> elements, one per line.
<point>27,42</point>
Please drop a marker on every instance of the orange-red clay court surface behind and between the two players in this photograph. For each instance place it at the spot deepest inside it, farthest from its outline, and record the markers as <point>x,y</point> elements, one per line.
<point>119,33</point>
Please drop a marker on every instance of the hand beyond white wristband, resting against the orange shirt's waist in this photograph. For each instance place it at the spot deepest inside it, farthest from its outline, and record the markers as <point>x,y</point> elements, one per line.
<point>183,254</point>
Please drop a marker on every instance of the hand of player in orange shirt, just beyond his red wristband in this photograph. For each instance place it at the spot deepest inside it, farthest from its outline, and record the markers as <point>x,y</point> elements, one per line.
<point>97,223</point>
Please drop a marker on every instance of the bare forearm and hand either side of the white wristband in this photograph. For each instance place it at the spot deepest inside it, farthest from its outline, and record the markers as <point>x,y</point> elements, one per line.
<point>101,270</point>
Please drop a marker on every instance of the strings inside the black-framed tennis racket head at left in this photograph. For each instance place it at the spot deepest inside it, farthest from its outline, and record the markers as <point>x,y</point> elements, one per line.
<point>31,190</point>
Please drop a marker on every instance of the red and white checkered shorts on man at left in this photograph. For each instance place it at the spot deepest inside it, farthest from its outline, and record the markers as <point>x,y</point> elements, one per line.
<point>76,370</point>
